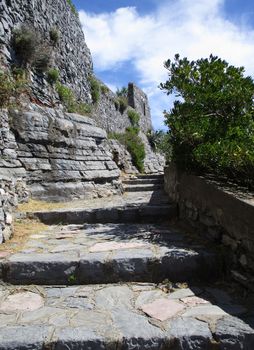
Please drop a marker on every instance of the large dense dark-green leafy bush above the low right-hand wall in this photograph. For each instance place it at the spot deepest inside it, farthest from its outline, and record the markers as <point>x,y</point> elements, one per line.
<point>212,125</point>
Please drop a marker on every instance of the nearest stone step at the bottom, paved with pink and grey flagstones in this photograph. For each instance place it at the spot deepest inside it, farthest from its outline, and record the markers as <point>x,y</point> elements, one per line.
<point>123,317</point>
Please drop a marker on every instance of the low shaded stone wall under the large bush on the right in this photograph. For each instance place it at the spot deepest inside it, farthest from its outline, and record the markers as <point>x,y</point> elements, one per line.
<point>220,214</point>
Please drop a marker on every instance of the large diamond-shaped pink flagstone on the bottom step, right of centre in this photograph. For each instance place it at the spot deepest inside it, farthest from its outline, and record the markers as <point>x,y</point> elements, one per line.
<point>162,309</point>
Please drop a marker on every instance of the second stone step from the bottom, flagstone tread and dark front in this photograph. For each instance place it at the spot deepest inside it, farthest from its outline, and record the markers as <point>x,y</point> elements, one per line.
<point>87,254</point>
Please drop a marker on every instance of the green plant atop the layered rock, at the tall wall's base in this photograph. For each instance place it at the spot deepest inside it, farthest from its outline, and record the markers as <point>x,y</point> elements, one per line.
<point>69,101</point>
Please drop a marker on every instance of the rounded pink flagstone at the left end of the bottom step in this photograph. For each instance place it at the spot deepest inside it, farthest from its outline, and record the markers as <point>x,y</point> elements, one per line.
<point>22,301</point>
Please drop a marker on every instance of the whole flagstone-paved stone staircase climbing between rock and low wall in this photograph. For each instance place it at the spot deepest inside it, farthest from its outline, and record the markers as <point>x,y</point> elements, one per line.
<point>119,277</point>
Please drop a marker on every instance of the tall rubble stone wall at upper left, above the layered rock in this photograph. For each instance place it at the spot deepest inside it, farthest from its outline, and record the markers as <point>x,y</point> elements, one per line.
<point>70,55</point>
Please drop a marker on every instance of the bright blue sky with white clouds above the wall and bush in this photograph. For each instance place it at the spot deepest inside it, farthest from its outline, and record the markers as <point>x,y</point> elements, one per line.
<point>130,40</point>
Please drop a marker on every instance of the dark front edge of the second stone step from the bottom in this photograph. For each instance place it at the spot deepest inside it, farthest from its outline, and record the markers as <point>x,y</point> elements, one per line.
<point>125,266</point>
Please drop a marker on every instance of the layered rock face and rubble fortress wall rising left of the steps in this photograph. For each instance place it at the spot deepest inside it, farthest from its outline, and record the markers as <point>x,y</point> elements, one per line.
<point>46,152</point>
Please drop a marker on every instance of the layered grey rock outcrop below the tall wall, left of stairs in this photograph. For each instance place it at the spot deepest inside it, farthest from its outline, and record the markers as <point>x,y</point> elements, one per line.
<point>59,154</point>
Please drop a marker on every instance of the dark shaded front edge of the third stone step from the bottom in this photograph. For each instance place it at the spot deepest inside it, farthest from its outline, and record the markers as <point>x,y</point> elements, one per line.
<point>122,214</point>
